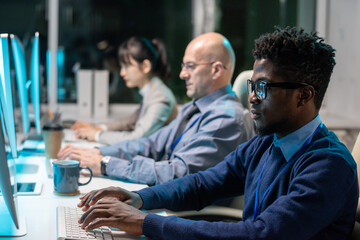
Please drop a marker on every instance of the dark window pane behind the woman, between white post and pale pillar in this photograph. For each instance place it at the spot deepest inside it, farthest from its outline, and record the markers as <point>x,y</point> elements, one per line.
<point>90,32</point>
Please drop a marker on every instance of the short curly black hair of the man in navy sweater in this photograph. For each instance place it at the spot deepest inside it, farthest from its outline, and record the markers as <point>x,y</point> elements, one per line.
<point>298,57</point>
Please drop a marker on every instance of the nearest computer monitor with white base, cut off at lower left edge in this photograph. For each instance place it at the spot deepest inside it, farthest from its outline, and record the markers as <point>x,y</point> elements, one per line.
<point>11,223</point>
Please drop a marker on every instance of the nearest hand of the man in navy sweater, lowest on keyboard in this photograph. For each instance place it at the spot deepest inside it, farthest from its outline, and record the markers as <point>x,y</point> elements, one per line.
<point>113,213</point>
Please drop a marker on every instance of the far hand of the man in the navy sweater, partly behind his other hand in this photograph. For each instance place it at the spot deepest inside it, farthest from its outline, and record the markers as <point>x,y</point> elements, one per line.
<point>118,193</point>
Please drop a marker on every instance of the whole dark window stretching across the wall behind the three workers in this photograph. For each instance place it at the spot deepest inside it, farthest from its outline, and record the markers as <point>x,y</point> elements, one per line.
<point>90,29</point>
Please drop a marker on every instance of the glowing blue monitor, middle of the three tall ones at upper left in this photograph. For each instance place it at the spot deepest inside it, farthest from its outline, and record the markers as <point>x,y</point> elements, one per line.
<point>21,79</point>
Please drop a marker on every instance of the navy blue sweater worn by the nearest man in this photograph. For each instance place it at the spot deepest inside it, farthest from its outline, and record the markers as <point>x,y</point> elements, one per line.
<point>314,197</point>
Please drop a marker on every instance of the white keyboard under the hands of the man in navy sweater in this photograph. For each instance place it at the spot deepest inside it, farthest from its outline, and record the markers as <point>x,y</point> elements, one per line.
<point>69,228</point>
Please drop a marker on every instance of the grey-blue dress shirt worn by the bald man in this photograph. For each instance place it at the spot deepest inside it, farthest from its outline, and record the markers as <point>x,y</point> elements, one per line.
<point>221,125</point>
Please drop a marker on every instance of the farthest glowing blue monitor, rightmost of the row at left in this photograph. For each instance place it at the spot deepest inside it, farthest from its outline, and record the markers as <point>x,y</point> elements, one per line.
<point>35,82</point>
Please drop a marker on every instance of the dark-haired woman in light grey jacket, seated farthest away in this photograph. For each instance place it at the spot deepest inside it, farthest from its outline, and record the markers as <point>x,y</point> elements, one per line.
<point>143,65</point>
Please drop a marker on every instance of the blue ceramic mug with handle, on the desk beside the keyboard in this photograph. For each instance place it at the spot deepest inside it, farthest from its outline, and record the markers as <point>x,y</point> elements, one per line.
<point>66,177</point>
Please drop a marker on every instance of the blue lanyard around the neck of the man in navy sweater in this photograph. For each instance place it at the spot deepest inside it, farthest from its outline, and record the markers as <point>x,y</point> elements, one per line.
<point>295,156</point>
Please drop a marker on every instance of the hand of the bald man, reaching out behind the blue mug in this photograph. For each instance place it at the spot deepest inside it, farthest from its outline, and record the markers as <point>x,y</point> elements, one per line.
<point>90,157</point>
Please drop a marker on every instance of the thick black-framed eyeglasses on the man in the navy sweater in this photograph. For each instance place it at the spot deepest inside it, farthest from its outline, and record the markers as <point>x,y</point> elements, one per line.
<point>260,87</point>
